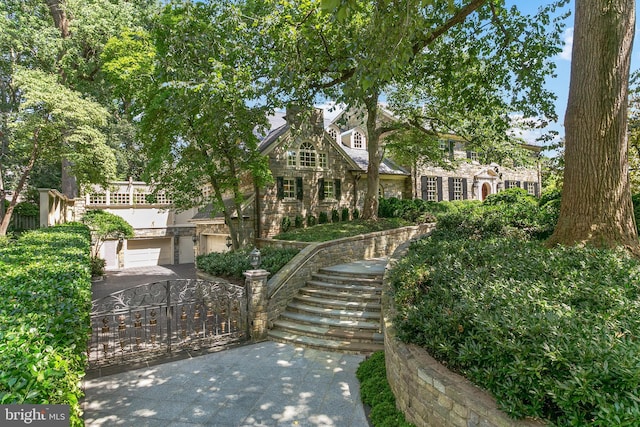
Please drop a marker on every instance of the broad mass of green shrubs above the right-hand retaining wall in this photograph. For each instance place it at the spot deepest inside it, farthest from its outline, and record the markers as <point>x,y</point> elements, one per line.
<point>551,333</point>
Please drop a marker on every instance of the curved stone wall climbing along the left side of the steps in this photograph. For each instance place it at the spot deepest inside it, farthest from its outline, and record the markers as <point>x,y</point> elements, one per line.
<point>284,285</point>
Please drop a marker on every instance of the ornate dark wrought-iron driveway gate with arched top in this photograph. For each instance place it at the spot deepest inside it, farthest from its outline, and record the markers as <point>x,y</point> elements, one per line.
<point>150,320</point>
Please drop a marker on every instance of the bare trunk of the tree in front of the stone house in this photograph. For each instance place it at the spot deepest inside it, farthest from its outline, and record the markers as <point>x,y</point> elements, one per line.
<point>370,210</point>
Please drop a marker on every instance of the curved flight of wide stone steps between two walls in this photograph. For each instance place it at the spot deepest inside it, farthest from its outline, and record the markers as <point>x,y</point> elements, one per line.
<point>337,310</point>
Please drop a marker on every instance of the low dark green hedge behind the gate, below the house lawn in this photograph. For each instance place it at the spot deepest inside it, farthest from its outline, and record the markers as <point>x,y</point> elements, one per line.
<point>231,265</point>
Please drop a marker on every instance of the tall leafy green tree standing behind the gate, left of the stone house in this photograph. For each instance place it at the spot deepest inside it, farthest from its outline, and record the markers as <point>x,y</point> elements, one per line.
<point>199,122</point>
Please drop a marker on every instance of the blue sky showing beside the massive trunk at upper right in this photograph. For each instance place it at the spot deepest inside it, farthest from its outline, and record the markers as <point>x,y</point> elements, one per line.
<point>560,84</point>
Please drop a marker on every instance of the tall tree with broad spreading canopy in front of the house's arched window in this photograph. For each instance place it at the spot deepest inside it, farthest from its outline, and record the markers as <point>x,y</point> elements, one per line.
<point>457,53</point>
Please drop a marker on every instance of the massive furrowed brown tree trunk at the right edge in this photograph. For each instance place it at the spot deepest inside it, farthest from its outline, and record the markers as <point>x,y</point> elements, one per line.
<point>596,204</point>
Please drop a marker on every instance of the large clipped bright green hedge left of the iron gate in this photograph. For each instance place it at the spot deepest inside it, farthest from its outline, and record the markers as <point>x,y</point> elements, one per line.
<point>45,306</point>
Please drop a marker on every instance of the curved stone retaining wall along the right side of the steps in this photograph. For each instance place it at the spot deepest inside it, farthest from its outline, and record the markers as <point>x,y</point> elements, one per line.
<point>427,392</point>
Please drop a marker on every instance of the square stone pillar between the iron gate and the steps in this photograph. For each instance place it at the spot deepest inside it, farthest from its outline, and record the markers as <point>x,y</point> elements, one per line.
<point>256,287</point>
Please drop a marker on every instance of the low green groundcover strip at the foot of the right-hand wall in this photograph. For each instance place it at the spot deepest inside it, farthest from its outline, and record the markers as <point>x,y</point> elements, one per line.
<point>376,393</point>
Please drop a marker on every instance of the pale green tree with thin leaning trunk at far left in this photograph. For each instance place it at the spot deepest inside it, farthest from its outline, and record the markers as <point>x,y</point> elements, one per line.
<point>54,122</point>
